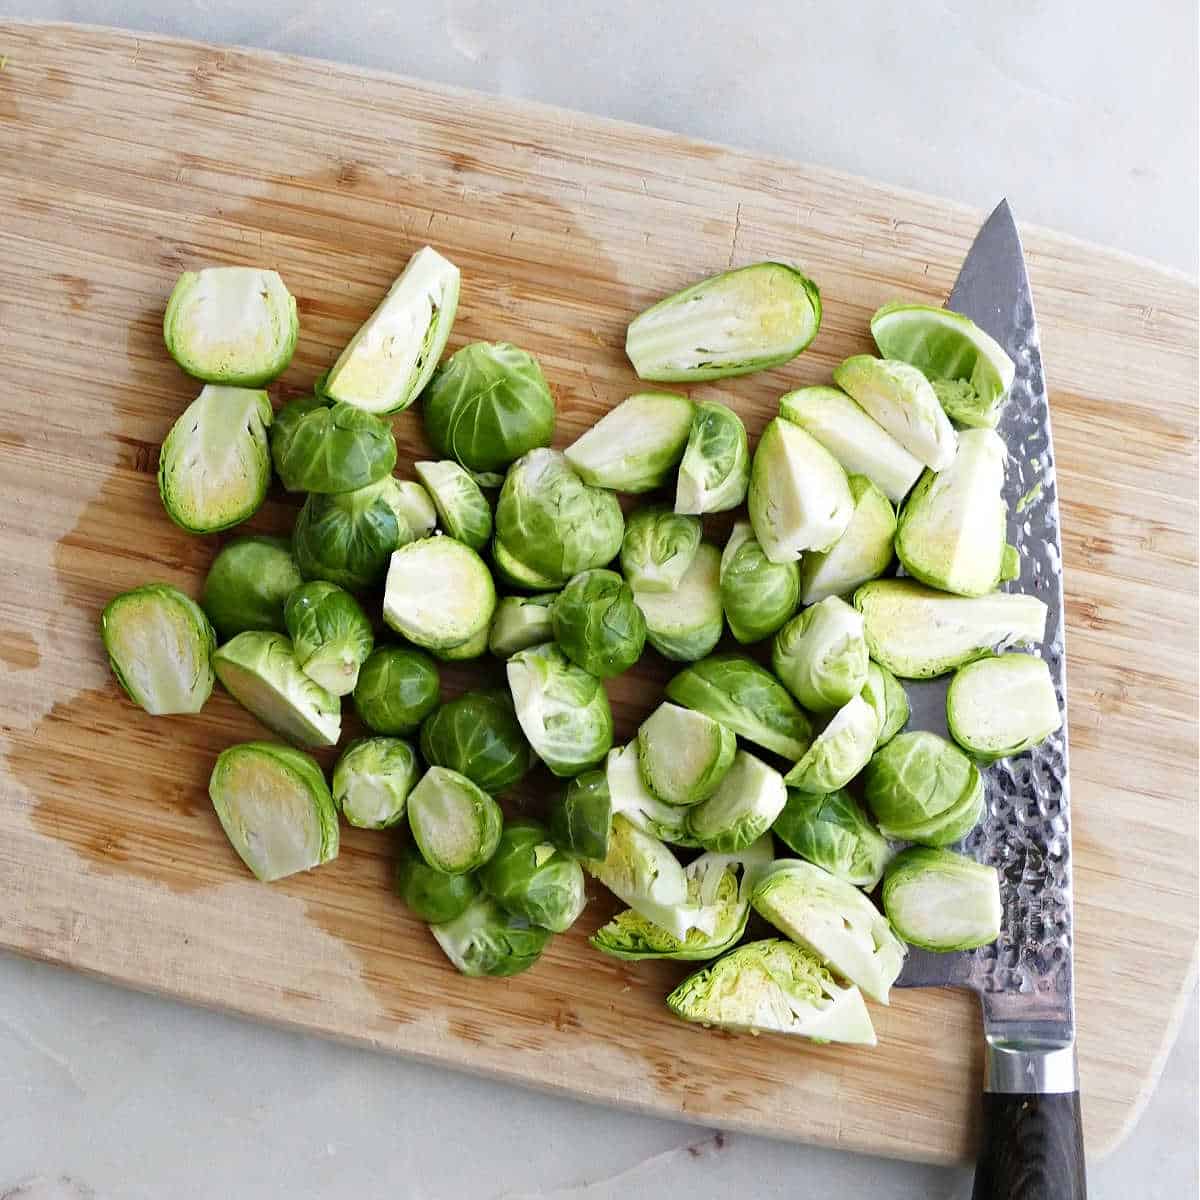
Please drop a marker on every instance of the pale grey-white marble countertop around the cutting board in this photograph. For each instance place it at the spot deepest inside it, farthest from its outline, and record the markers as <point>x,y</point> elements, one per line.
<point>1088,127</point>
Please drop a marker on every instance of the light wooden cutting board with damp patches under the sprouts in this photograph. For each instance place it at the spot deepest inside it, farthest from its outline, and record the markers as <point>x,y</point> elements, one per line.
<point>127,160</point>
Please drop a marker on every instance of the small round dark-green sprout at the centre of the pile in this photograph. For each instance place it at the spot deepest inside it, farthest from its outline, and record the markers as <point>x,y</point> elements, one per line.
<point>597,623</point>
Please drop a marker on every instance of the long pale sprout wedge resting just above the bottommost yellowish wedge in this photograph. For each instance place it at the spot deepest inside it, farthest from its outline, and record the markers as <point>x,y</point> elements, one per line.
<point>835,921</point>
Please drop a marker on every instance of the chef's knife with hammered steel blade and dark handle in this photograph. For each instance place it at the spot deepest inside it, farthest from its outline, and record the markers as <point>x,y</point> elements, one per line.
<point>1033,1144</point>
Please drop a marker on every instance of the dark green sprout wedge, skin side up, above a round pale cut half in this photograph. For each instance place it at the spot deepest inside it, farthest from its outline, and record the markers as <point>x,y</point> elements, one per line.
<point>746,699</point>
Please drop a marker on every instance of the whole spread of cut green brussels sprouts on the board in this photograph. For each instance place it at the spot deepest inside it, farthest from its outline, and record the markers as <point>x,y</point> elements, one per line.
<point>809,752</point>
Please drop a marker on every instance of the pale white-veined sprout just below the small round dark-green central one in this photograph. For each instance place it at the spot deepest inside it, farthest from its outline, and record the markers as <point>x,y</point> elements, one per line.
<point>563,711</point>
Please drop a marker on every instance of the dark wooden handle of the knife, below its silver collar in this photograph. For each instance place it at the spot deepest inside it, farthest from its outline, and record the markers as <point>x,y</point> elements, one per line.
<point>1033,1149</point>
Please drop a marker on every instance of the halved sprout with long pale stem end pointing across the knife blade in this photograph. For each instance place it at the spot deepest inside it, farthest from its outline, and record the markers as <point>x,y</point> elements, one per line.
<point>917,633</point>
